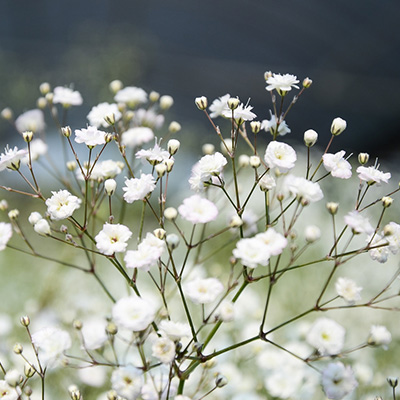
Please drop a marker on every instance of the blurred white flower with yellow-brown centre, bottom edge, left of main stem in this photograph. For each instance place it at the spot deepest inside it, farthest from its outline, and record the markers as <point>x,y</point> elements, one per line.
<point>127,382</point>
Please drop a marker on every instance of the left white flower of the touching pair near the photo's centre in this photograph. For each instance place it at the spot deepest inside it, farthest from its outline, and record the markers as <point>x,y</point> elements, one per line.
<point>252,252</point>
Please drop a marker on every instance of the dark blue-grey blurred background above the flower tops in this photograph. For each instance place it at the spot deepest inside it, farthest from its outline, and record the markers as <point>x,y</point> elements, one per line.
<point>192,48</point>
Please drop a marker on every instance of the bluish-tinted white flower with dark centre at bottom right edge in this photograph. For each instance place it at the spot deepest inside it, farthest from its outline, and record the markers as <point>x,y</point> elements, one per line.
<point>338,381</point>
